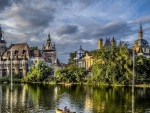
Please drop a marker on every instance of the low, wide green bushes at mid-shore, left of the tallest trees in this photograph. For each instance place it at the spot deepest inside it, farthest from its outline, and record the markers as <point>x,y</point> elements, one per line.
<point>71,74</point>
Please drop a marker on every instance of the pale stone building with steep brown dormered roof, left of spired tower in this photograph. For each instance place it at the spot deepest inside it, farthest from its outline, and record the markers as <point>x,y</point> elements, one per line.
<point>22,59</point>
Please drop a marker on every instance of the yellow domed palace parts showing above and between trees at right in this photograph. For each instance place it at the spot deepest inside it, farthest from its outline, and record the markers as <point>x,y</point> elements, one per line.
<point>140,47</point>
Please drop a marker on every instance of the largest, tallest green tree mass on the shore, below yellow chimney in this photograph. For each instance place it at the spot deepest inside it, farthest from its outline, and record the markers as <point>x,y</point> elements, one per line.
<point>112,65</point>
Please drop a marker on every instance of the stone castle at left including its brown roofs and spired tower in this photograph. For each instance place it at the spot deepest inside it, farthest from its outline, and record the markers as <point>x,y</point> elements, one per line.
<point>23,57</point>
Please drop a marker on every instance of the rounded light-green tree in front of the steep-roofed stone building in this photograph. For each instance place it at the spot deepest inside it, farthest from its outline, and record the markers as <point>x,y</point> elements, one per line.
<point>39,73</point>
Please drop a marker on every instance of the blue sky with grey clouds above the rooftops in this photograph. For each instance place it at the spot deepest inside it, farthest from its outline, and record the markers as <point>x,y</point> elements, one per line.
<point>73,22</point>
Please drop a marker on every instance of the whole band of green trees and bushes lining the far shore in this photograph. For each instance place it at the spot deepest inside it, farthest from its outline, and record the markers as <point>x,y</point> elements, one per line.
<point>112,66</point>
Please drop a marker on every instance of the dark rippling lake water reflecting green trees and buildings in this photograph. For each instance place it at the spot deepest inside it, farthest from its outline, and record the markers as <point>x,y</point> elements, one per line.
<point>33,98</point>
